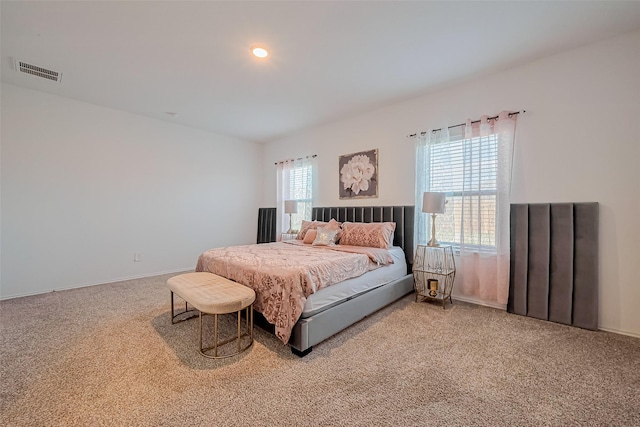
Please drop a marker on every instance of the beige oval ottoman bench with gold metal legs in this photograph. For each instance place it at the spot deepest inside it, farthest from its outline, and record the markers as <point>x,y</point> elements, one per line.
<point>215,295</point>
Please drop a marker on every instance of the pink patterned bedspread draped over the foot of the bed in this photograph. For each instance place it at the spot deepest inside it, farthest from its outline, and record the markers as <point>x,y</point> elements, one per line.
<point>283,275</point>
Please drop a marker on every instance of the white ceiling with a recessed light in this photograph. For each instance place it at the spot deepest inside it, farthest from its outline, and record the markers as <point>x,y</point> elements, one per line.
<point>329,60</point>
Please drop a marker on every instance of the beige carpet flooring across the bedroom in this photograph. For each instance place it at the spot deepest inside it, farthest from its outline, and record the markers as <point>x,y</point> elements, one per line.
<point>108,356</point>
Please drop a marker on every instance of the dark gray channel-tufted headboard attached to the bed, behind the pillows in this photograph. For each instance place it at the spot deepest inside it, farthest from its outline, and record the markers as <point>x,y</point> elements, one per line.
<point>401,215</point>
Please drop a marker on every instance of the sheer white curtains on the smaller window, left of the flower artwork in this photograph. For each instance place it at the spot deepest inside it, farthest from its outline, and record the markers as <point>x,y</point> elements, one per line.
<point>294,182</point>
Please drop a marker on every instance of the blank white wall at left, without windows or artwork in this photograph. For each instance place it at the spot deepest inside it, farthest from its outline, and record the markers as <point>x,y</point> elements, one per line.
<point>84,187</point>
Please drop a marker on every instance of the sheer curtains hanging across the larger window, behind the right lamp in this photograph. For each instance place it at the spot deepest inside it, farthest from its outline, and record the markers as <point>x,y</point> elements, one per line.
<point>476,220</point>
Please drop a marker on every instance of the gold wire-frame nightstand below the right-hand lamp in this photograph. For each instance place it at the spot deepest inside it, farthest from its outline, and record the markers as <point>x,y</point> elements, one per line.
<point>434,270</point>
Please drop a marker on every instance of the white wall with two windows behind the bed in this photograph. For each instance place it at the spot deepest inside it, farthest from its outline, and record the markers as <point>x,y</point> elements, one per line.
<point>578,141</point>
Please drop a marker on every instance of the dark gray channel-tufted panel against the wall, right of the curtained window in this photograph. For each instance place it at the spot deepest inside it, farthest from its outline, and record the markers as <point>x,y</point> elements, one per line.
<point>554,262</point>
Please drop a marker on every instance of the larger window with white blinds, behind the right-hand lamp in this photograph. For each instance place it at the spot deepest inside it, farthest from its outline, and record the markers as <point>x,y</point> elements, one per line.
<point>466,170</point>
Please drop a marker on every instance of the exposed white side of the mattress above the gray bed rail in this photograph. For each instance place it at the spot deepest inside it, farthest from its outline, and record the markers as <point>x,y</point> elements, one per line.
<point>351,288</point>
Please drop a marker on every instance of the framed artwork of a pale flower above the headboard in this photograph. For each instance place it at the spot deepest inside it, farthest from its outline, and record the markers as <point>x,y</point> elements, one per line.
<point>358,175</point>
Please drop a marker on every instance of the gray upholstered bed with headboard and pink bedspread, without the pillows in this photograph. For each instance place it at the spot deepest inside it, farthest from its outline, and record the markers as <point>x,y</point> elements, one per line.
<point>308,310</point>
